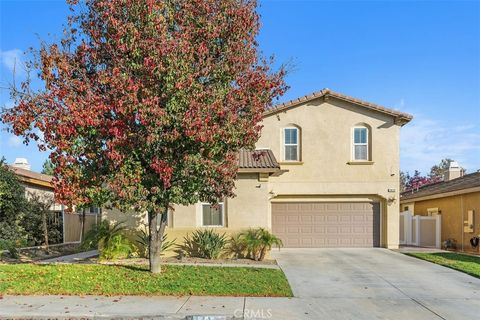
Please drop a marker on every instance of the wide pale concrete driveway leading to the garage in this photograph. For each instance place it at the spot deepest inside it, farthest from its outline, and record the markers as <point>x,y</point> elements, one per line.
<point>376,284</point>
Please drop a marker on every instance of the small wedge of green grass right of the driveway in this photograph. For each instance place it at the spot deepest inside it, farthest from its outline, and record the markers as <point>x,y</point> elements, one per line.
<point>461,262</point>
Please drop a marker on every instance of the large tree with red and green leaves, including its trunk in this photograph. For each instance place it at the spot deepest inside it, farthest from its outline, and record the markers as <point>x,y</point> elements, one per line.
<point>146,103</point>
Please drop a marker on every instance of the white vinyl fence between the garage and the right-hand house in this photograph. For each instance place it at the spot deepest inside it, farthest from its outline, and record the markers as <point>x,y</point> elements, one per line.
<point>420,231</point>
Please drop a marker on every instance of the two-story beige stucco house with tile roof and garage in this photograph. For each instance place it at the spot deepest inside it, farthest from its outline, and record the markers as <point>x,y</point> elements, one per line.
<point>326,175</point>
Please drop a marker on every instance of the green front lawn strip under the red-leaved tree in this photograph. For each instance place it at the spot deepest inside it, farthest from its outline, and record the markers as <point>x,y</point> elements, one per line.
<point>83,279</point>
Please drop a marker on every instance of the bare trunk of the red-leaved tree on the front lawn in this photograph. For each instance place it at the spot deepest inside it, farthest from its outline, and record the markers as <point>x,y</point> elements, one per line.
<point>156,226</point>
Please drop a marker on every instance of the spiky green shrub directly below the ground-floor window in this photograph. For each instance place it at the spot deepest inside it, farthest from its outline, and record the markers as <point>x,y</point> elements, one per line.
<point>205,244</point>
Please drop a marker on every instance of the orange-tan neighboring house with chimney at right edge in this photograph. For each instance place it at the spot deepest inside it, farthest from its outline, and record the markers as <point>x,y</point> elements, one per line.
<point>456,200</point>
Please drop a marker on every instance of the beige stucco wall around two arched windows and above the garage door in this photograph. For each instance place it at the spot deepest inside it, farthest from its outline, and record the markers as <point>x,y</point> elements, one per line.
<point>326,150</point>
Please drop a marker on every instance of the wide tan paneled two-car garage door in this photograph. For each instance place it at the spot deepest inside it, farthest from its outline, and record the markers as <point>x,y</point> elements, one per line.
<point>327,225</point>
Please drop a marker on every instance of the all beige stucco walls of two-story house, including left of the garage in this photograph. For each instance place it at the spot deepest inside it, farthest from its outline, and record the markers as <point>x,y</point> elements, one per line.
<point>323,175</point>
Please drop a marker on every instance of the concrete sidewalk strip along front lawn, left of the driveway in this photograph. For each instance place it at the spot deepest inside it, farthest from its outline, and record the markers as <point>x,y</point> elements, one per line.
<point>62,307</point>
